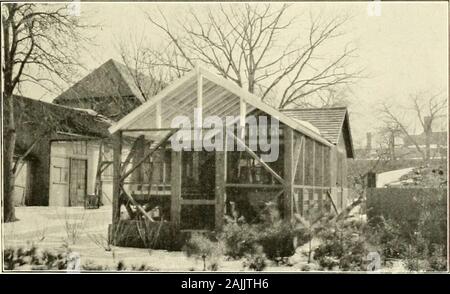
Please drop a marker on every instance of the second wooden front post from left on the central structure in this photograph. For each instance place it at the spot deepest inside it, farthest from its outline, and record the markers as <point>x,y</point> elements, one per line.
<point>175,206</point>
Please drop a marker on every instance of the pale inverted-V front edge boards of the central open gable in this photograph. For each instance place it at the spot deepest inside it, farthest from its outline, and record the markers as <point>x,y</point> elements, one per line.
<point>245,97</point>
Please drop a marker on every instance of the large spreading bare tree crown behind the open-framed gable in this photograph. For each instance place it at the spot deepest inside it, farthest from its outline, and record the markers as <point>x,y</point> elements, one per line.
<point>249,45</point>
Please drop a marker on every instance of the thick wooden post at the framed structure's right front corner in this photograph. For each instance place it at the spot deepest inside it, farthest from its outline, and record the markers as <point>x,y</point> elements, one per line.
<point>288,171</point>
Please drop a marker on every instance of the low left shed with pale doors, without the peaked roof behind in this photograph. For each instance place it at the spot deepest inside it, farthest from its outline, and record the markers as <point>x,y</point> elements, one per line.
<point>60,168</point>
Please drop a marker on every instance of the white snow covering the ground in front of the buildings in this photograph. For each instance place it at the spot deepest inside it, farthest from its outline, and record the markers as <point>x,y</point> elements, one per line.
<point>46,227</point>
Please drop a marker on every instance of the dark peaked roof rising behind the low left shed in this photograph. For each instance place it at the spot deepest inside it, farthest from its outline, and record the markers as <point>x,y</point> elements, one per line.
<point>112,79</point>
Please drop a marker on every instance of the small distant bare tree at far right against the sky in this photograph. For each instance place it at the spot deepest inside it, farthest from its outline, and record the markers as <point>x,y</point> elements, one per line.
<point>425,108</point>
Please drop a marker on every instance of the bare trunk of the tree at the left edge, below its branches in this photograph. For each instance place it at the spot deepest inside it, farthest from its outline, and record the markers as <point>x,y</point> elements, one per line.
<point>9,143</point>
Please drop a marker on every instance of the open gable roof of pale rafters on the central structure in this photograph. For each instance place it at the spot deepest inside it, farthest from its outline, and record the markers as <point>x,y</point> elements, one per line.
<point>221,96</point>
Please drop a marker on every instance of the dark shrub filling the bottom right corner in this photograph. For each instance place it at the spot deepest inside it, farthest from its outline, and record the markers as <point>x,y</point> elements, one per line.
<point>422,245</point>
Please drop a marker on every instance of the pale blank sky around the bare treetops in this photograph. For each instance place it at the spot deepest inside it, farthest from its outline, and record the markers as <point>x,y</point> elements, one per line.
<point>404,50</point>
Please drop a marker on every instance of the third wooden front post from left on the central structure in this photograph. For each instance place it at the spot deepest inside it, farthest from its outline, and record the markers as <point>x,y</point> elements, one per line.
<point>220,189</point>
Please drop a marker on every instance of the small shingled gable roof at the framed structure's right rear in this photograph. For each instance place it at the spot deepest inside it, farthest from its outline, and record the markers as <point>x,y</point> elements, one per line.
<point>331,122</point>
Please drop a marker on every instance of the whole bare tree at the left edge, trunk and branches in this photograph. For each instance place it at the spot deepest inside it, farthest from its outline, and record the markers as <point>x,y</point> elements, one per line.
<point>40,44</point>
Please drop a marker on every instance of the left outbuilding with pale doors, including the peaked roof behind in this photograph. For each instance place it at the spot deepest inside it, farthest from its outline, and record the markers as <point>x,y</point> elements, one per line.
<point>64,167</point>
